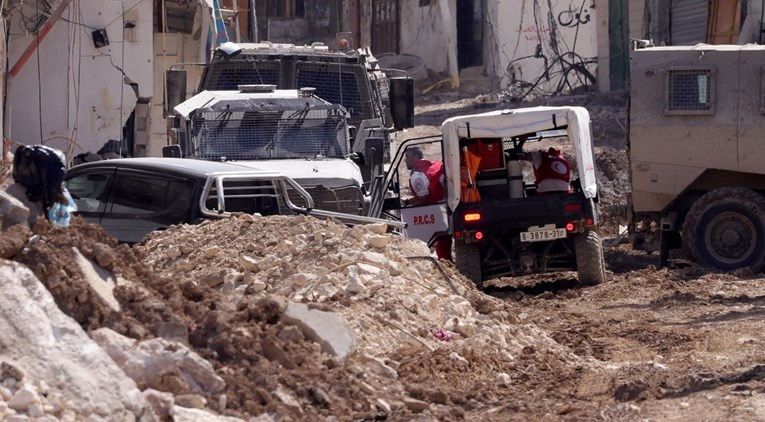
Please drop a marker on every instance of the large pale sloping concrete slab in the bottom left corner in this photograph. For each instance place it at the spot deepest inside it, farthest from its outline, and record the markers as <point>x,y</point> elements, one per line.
<point>51,346</point>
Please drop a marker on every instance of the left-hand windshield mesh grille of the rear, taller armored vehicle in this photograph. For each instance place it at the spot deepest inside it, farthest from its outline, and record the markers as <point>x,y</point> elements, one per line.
<point>227,77</point>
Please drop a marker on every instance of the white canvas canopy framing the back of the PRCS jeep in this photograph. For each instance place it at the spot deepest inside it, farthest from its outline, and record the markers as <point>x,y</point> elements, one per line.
<point>509,123</point>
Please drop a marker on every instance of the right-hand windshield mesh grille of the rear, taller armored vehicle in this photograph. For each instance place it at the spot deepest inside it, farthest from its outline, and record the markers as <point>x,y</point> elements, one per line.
<point>343,89</point>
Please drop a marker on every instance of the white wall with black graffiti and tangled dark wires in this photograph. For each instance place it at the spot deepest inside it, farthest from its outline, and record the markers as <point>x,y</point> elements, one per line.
<point>535,42</point>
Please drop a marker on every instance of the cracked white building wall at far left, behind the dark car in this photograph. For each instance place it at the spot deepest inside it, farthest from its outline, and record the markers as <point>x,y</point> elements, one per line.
<point>84,97</point>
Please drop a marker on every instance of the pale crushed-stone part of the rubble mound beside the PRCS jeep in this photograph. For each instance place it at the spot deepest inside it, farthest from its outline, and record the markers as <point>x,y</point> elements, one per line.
<point>361,272</point>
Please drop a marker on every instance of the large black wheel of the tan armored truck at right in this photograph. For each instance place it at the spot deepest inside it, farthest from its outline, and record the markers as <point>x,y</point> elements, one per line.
<point>725,229</point>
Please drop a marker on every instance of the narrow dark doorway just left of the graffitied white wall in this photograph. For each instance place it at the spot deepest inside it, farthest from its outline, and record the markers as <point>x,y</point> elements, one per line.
<point>469,33</point>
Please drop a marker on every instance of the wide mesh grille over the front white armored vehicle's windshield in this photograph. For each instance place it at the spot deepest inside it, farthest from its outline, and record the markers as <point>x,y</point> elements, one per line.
<point>252,135</point>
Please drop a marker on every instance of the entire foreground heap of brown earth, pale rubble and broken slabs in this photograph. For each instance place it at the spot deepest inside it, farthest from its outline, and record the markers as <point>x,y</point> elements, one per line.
<point>270,317</point>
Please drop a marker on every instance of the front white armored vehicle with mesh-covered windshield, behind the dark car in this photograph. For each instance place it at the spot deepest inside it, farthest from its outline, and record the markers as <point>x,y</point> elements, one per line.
<point>291,132</point>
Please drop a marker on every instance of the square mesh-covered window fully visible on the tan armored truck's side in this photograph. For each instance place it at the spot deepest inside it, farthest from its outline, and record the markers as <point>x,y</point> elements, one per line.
<point>690,91</point>
